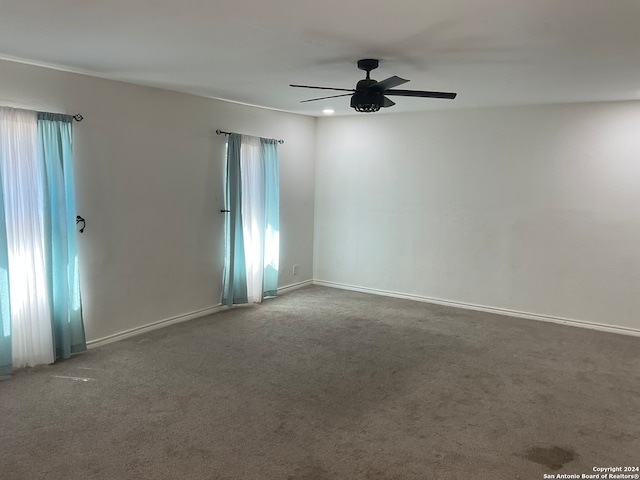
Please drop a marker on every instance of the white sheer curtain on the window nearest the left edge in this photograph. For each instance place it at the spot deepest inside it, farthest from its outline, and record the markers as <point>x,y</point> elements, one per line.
<point>22,182</point>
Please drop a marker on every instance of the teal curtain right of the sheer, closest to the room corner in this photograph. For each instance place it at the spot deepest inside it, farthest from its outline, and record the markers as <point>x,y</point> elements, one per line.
<point>269,153</point>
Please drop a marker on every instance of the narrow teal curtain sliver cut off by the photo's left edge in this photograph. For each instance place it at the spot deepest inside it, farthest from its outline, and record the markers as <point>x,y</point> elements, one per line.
<point>5,311</point>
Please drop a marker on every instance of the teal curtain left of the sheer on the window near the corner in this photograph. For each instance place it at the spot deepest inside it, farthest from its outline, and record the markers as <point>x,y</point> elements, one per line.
<point>234,288</point>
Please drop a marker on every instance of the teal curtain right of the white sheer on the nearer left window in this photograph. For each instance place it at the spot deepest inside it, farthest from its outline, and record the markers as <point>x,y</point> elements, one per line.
<point>55,152</point>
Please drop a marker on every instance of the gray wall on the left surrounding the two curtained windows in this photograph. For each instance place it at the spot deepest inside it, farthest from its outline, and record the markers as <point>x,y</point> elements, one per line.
<point>149,179</point>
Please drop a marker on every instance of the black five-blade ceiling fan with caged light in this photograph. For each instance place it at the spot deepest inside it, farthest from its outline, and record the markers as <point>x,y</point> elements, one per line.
<point>370,95</point>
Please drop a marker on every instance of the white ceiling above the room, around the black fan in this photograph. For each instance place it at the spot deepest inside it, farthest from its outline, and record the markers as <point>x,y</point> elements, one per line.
<point>492,52</point>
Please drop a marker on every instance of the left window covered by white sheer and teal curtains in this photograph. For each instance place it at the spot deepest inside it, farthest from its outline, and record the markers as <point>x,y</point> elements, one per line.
<point>39,284</point>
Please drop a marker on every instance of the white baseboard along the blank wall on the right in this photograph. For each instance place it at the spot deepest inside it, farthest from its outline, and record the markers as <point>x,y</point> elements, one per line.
<point>482,308</point>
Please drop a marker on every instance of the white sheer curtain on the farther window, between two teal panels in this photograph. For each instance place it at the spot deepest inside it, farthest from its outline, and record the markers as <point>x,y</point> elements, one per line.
<point>252,184</point>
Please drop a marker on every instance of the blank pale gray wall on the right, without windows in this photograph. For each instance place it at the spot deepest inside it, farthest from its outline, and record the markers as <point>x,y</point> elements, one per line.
<point>531,209</point>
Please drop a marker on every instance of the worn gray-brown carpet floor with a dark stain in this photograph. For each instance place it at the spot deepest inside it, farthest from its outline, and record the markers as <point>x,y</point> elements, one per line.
<point>328,384</point>
